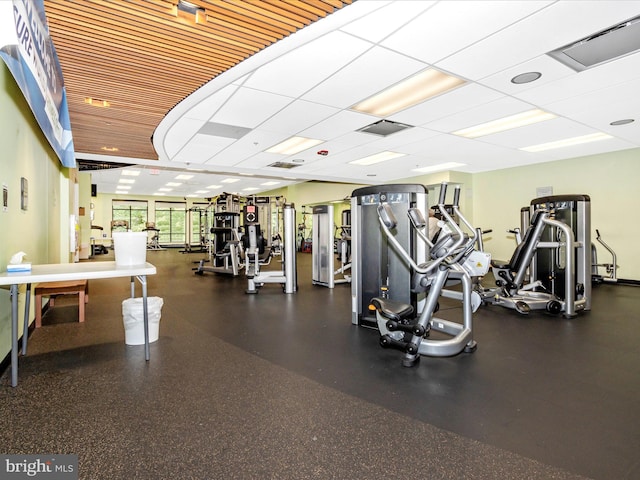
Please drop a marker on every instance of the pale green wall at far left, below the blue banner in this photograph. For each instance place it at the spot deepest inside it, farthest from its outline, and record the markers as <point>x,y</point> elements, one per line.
<point>36,231</point>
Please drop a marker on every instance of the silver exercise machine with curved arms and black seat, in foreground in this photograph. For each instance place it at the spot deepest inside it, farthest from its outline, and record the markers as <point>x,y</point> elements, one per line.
<point>400,326</point>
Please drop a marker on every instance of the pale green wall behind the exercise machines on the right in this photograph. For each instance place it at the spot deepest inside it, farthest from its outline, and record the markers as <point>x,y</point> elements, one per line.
<point>610,180</point>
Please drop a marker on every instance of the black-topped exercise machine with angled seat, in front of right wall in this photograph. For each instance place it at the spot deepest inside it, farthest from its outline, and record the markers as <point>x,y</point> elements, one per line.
<point>555,257</point>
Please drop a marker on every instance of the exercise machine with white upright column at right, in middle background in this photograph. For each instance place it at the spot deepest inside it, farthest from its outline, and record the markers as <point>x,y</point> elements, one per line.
<point>255,248</point>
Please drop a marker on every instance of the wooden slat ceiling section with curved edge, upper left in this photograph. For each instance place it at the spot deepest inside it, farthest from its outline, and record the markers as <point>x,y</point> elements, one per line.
<point>144,56</point>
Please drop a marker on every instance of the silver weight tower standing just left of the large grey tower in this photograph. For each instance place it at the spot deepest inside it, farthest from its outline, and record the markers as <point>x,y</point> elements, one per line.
<point>324,243</point>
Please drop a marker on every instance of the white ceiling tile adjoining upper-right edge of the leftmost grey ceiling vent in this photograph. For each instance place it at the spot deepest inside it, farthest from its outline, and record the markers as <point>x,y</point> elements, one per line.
<point>249,107</point>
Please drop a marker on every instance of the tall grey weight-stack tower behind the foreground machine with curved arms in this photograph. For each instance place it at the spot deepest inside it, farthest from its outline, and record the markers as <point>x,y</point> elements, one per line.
<point>377,268</point>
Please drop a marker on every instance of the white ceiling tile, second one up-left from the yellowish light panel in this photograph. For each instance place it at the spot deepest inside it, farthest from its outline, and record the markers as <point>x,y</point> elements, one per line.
<point>297,71</point>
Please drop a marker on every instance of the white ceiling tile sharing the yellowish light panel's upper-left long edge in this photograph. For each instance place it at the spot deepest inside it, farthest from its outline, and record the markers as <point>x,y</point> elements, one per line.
<point>372,72</point>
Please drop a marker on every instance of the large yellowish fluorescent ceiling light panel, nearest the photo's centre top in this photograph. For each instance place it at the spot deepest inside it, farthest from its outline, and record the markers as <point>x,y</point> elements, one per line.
<point>409,92</point>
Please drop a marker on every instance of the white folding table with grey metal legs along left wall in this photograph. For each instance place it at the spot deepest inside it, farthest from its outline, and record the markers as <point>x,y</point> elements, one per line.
<point>68,271</point>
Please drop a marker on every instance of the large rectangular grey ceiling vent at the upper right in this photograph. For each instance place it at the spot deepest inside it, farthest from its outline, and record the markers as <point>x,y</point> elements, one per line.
<point>601,47</point>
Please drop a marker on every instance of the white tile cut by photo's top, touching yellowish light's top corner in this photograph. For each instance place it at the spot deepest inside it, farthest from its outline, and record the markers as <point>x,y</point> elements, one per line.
<point>449,27</point>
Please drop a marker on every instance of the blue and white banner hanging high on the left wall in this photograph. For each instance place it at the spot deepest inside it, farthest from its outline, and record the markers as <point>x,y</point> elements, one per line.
<point>28,51</point>
